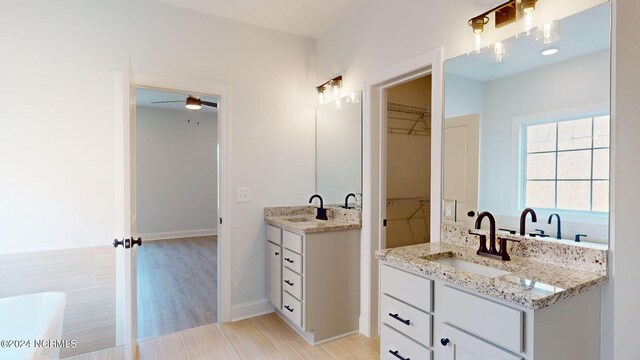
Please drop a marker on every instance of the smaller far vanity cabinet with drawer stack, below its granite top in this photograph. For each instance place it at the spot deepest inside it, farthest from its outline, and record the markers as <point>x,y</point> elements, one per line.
<point>319,282</point>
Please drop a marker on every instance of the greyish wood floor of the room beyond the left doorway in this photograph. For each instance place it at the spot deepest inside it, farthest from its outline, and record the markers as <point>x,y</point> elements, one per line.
<point>177,285</point>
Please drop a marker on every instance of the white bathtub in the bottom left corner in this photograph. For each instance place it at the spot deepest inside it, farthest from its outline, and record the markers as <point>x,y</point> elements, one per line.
<point>28,318</point>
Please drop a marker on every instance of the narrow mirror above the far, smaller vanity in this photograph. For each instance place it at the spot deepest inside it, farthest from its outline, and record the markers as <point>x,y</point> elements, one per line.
<point>339,149</point>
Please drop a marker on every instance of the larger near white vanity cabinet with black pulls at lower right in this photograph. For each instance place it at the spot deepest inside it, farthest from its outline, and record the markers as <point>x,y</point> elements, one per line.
<point>467,325</point>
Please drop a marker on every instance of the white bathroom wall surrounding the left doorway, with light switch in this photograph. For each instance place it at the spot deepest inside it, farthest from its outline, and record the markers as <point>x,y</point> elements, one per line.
<point>57,118</point>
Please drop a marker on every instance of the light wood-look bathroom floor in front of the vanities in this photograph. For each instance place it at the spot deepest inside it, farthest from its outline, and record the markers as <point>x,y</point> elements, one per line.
<point>263,337</point>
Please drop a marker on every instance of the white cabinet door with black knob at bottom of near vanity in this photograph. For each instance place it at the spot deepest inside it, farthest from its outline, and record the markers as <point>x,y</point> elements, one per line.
<point>458,345</point>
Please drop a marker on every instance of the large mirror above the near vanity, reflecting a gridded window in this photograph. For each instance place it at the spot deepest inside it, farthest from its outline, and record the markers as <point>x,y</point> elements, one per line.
<point>528,126</point>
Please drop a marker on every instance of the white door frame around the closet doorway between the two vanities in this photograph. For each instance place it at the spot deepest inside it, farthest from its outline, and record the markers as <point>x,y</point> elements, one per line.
<point>374,163</point>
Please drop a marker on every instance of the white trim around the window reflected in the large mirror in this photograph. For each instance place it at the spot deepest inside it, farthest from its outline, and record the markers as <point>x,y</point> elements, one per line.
<point>517,166</point>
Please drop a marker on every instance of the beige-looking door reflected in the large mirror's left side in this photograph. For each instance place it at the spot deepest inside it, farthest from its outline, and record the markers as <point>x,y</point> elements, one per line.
<point>461,156</point>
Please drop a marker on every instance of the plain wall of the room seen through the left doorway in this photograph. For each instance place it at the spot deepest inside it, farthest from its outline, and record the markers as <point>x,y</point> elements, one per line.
<point>176,172</point>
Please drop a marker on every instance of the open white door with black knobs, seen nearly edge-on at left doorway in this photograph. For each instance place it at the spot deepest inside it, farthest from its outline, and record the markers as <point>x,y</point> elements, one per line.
<point>126,324</point>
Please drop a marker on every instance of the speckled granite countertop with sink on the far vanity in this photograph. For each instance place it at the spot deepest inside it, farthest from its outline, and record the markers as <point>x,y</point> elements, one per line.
<point>339,219</point>
